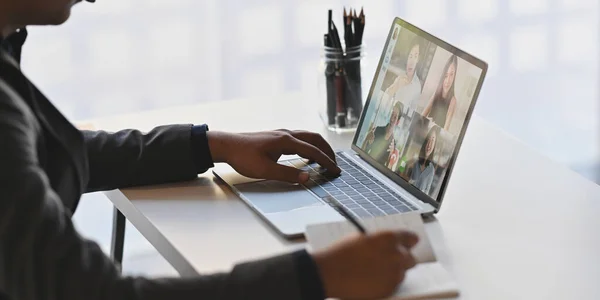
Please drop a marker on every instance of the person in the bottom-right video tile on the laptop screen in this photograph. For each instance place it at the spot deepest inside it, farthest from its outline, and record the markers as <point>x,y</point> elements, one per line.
<point>421,171</point>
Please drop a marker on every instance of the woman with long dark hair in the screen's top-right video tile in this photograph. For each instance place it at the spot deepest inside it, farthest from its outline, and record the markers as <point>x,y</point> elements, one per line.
<point>442,105</point>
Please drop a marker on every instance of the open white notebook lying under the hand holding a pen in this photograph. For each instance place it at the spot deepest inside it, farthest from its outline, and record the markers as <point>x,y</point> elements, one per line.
<point>427,280</point>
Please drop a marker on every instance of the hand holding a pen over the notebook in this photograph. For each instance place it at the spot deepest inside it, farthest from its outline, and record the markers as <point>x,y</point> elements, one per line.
<point>366,266</point>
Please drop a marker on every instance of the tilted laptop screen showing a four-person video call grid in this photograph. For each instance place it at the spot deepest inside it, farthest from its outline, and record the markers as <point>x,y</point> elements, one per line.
<point>420,102</point>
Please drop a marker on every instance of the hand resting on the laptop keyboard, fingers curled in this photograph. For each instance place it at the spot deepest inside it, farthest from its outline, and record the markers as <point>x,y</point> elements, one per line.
<point>255,155</point>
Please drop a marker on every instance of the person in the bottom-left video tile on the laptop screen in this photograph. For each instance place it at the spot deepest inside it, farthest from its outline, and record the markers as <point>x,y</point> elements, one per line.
<point>379,142</point>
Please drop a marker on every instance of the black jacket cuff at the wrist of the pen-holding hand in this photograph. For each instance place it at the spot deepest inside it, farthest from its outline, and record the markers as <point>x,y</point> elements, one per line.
<point>311,286</point>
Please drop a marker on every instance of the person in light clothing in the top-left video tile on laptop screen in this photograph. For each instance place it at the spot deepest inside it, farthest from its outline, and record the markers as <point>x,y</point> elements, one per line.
<point>406,88</point>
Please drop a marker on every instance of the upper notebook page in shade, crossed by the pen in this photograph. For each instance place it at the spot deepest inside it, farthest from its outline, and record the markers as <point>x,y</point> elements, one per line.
<point>320,236</point>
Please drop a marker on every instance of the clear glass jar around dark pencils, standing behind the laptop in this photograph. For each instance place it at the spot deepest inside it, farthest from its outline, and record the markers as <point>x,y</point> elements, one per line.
<point>342,88</point>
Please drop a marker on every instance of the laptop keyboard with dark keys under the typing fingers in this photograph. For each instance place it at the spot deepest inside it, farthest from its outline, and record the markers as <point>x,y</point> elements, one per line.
<point>357,190</point>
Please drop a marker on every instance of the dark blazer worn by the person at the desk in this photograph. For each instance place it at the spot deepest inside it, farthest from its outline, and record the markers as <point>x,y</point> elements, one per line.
<point>45,166</point>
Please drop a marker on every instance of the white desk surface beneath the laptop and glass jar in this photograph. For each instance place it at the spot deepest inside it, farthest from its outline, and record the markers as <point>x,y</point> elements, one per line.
<point>514,225</point>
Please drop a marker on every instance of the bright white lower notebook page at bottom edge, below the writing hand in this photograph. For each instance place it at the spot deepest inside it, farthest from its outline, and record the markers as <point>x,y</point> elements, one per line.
<point>427,281</point>
